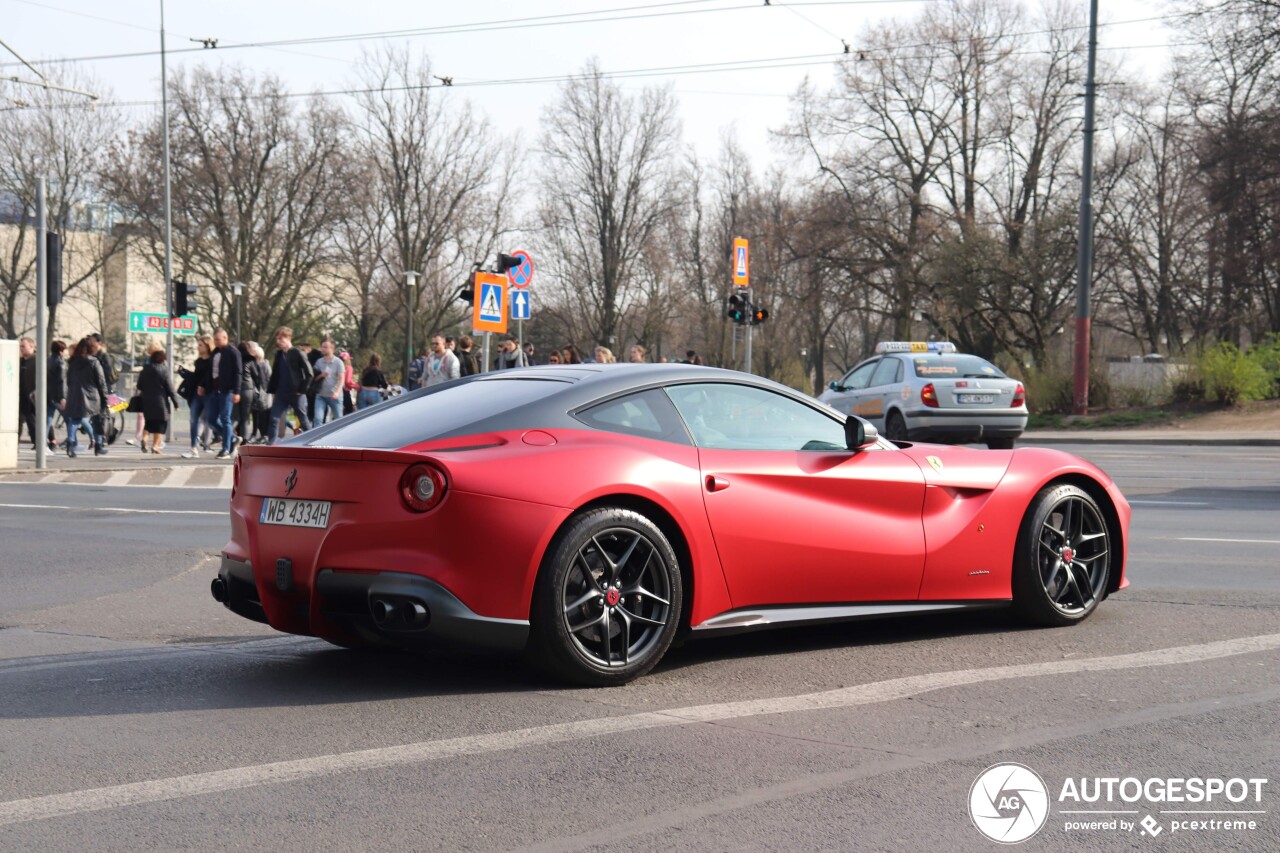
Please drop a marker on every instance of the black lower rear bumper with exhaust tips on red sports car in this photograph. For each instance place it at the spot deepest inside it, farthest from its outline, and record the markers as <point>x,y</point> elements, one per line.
<point>385,608</point>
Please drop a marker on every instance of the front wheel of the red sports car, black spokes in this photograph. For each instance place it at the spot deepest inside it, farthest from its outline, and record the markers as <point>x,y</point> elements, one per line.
<point>1063,559</point>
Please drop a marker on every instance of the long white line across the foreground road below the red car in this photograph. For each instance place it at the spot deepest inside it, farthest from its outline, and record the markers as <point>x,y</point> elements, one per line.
<point>35,809</point>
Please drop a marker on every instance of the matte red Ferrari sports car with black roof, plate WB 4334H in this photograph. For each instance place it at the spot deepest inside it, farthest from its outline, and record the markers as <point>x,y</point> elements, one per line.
<point>588,514</point>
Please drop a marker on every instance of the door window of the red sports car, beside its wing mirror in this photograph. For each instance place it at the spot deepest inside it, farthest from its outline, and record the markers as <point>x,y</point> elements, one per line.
<point>729,417</point>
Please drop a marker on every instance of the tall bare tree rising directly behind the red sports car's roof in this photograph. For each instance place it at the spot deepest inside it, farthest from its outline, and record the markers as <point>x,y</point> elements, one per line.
<point>607,189</point>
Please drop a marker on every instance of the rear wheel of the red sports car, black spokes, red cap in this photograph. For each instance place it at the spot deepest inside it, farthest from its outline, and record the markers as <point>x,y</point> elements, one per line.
<point>609,600</point>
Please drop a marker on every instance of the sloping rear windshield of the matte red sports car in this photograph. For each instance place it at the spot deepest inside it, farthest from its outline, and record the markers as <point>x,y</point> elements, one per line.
<point>418,418</point>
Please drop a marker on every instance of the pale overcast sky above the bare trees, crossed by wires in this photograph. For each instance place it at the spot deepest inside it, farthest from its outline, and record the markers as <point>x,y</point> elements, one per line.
<point>766,51</point>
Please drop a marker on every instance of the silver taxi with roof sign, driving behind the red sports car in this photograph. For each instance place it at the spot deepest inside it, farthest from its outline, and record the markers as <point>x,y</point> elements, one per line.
<point>927,391</point>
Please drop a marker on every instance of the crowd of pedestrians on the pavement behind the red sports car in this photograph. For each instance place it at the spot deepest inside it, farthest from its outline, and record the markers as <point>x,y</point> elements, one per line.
<point>236,396</point>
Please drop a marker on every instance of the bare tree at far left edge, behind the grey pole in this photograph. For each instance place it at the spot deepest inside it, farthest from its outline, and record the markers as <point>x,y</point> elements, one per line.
<point>62,138</point>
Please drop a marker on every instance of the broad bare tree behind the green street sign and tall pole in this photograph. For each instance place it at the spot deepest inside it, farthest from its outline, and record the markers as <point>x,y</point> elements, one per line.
<point>255,185</point>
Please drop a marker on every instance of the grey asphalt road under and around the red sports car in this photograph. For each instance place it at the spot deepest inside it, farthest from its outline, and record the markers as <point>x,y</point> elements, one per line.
<point>136,714</point>
